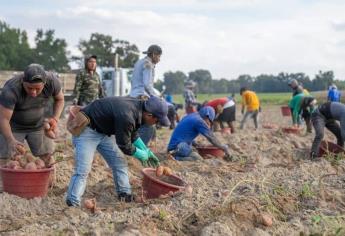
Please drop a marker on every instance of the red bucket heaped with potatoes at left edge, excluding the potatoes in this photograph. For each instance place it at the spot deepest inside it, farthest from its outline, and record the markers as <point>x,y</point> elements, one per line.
<point>26,183</point>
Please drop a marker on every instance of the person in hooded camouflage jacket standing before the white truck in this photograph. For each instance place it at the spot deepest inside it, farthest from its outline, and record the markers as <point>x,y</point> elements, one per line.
<point>88,85</point>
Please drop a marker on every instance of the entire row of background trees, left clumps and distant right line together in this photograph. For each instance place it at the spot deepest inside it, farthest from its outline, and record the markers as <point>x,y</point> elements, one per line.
<point>50,51</point>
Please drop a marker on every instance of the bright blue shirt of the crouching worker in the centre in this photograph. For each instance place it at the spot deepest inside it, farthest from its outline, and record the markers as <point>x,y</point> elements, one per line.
<point>188,129</point>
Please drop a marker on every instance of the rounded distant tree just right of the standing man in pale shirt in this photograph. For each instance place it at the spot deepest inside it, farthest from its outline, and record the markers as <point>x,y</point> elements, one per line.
<point>174,81</point>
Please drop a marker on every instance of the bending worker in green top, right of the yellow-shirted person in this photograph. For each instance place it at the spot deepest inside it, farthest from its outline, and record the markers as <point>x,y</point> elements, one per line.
<point>298,111</point>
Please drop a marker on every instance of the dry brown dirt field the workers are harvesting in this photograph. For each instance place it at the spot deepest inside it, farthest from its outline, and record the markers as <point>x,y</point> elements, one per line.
<point>271,176</point>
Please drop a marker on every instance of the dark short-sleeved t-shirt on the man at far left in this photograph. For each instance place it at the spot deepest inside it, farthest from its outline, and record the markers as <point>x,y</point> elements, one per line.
<point>28,112</point>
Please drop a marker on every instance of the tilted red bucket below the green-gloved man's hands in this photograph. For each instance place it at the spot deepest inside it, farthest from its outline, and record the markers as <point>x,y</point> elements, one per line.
<point>154,186</point>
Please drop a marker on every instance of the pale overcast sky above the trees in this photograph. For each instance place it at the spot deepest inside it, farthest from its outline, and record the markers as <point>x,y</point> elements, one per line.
<point>227,37</point>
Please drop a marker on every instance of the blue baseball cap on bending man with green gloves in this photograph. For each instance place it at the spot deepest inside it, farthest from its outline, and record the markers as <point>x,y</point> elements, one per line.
<point>159,108</point>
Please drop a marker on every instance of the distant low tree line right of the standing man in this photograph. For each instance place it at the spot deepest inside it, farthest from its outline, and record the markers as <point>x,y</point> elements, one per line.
<point>264,83</point>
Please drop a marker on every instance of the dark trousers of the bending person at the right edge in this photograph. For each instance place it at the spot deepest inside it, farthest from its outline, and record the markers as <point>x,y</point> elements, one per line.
<point>319,123</point>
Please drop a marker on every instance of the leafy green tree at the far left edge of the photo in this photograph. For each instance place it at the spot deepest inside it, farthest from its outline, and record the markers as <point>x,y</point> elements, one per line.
<point>15,52</point>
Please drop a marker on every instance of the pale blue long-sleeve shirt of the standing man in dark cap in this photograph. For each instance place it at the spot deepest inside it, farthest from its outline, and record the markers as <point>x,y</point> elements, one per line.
<point>143,79</point>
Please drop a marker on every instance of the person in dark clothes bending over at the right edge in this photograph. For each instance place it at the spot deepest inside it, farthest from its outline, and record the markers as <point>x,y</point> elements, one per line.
<point>327,115</point>
